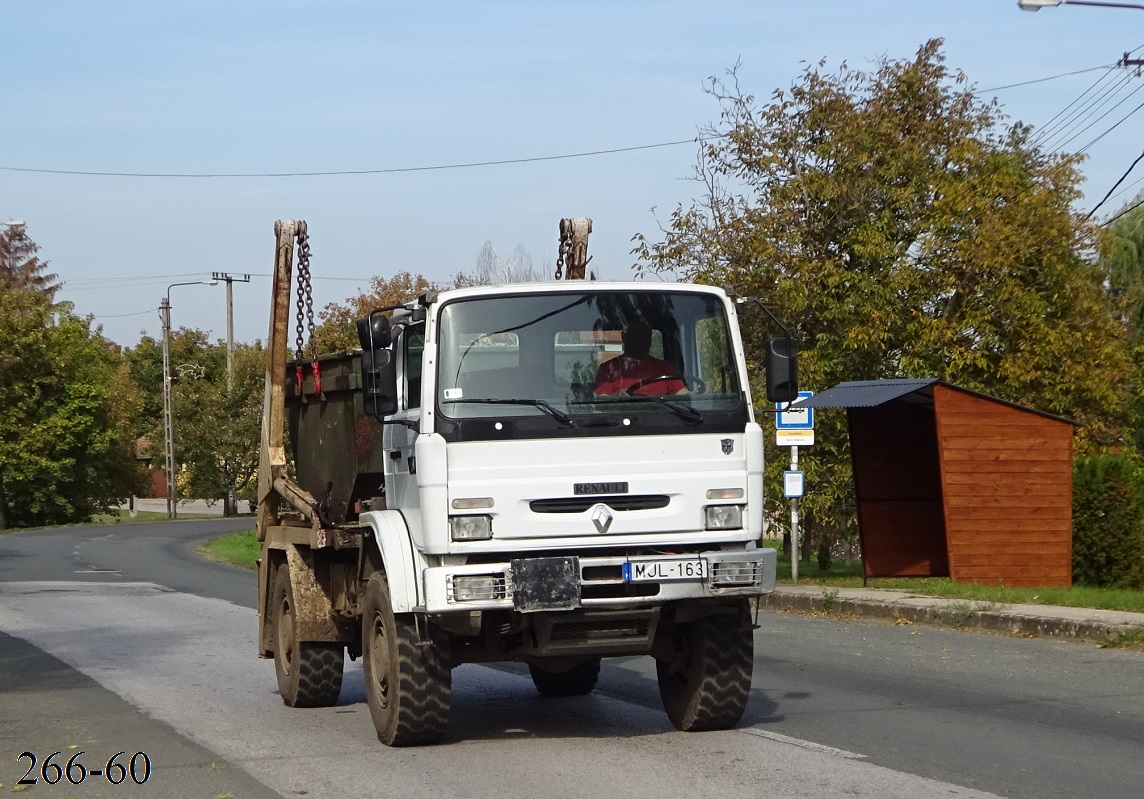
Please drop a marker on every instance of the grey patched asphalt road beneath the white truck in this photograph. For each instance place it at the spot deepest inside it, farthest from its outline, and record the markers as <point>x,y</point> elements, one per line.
<point>139,643</point>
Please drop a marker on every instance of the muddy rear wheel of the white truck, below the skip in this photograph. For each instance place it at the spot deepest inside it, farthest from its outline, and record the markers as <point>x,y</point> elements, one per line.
<point>309,675</point>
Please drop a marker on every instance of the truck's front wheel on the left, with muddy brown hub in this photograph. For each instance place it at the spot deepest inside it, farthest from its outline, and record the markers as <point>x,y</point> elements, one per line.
<point>408,684</point>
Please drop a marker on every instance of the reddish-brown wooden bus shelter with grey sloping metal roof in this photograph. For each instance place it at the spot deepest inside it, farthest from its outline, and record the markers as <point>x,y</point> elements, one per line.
<point>955,484</point>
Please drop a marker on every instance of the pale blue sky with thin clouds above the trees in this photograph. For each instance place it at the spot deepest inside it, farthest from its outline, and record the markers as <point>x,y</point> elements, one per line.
<point>203,89</point>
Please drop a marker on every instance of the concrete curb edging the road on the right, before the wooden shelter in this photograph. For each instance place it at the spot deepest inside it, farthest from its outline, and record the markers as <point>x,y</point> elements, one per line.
<point>960,615</point>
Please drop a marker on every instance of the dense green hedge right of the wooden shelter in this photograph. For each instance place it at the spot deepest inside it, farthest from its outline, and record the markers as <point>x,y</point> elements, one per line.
<point>1109,521</point>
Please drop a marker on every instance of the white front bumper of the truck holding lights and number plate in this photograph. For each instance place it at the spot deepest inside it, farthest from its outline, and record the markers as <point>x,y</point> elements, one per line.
<point>599,583</point>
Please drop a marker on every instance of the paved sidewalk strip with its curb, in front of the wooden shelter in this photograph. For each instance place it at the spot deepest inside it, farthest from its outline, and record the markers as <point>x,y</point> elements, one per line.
<point>1045,621</point>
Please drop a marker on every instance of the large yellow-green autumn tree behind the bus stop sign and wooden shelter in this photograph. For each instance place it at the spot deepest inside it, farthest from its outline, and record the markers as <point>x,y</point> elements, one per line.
<point>903,230</point>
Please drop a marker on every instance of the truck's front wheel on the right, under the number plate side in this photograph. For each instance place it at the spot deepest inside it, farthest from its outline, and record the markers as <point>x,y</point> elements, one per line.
<point>709,685</point>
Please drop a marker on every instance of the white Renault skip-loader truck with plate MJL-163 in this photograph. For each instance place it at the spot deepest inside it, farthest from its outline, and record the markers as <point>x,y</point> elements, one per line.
<point>463,493</point>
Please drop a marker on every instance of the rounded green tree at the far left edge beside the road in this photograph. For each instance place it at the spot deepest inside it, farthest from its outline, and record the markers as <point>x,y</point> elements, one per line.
<point>68,415</point>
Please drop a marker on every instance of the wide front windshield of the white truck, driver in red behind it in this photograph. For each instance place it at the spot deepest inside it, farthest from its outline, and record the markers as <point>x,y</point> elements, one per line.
<point>587,355</point>
